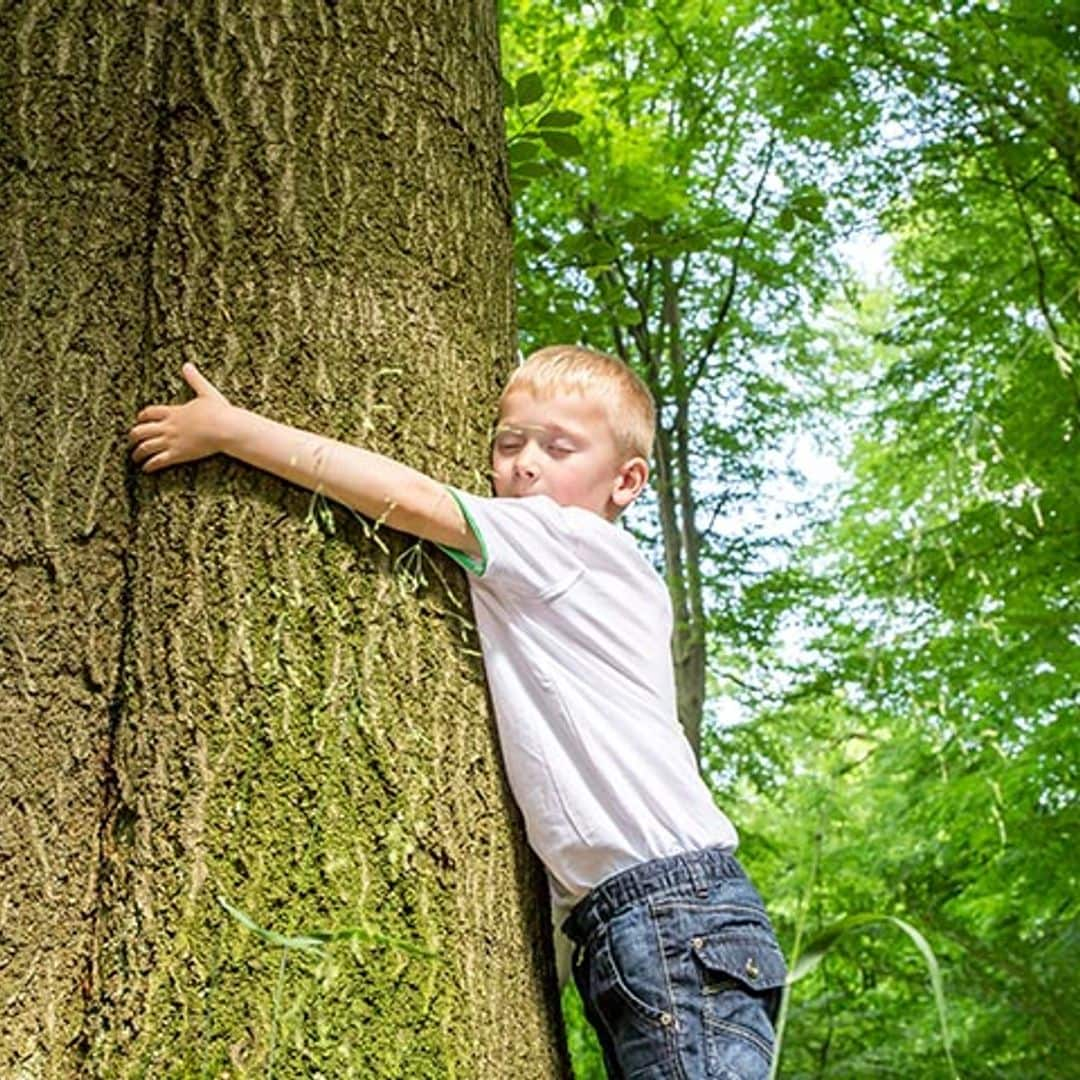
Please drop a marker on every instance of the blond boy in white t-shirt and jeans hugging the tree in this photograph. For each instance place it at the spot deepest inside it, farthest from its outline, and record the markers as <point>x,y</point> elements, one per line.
<point>674,956</point>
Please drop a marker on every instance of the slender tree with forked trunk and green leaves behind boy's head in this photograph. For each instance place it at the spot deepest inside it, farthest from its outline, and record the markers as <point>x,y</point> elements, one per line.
<point>685,229</point>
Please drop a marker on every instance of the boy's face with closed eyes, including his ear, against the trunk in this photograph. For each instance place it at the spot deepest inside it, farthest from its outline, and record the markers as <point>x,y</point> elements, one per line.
<point>563,447</point>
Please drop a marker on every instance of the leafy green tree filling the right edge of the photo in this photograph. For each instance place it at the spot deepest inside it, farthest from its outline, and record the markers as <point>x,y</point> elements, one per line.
<point>930,726</point>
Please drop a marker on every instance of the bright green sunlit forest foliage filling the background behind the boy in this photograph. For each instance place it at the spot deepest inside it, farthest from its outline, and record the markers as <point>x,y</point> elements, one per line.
<point>907,654</point>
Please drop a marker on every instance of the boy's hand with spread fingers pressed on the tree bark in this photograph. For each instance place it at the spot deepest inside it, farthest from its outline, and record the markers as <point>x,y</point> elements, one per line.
<point>171,435</point>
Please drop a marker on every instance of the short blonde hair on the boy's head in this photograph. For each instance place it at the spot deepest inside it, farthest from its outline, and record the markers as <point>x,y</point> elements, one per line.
<point>625,396</point>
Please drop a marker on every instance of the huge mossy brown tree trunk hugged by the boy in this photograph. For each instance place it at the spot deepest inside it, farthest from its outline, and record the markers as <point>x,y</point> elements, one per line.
<point>214,686</point>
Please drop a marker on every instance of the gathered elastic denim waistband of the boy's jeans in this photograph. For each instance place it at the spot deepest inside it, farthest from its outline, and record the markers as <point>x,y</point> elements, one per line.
<point>693,871</point>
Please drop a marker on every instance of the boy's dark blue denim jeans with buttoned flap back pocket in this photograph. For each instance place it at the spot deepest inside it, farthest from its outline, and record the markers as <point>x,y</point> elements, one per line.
<point>680,970</point>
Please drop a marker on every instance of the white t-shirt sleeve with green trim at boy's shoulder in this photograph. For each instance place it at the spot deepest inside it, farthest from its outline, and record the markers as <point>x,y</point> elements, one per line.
<point>528,546</point>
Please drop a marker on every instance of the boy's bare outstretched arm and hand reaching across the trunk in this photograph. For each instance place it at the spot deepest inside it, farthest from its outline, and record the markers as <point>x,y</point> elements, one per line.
<point>377,487</point>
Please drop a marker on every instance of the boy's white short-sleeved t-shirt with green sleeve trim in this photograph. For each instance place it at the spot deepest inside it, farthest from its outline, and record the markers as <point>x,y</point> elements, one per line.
<point>576,629</point>
